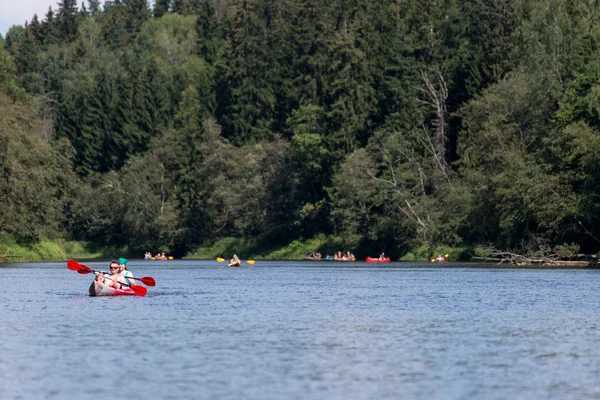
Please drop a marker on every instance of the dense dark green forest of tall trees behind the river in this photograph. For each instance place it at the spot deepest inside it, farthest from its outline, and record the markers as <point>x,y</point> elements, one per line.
<point>392,124</point>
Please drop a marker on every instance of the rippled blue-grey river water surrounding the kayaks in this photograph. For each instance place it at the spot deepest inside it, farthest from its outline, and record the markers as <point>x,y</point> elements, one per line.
<point>301,330</point>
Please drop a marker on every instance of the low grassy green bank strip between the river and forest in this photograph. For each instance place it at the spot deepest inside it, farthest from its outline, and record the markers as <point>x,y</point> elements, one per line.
<point>60,250</point>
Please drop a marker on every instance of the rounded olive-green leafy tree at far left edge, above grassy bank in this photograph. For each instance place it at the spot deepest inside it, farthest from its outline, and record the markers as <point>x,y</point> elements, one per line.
<point>36,180</point>
